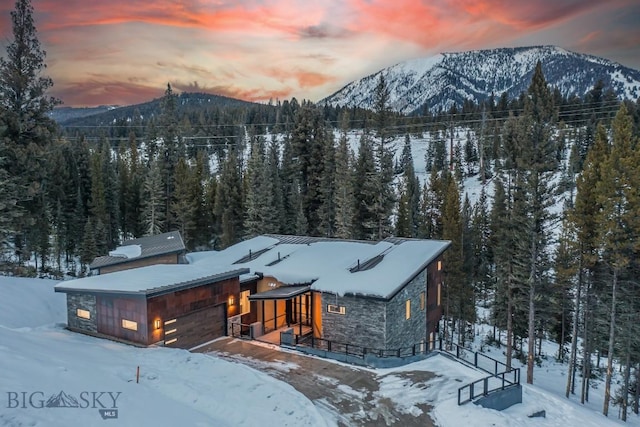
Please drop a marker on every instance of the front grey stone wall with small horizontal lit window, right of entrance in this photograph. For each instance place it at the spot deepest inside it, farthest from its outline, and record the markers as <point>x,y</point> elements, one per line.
<point>362,324</point>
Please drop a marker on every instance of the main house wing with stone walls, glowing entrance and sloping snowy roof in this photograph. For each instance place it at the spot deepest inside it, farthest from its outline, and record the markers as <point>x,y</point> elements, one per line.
<point>377,295</point>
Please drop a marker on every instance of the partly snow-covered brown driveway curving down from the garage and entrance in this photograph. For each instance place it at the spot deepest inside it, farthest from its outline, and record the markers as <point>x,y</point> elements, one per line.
<point>351,395</point>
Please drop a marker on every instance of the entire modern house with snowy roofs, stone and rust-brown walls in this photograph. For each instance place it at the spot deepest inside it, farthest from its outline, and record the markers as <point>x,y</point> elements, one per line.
<point>383,296</point>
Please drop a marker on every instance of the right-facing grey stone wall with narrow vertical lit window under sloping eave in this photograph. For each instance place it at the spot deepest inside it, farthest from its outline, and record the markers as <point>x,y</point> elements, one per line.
<point>400,331</point>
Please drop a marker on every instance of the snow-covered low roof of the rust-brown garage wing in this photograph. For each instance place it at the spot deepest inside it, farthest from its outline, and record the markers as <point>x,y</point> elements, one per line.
<point>152,280</point>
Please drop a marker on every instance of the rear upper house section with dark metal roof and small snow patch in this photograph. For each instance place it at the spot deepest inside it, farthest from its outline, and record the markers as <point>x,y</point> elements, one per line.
<point>166,248</point>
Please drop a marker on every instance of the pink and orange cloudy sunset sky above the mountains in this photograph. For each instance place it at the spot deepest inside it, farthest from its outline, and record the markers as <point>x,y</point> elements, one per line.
<point>126,51</point>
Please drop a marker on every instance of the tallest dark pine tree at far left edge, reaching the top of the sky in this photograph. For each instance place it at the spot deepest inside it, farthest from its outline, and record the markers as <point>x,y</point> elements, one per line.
<point>25,128</point>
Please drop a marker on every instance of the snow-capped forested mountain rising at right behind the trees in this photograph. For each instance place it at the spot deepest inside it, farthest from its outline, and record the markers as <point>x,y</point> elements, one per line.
<point>440,81</point>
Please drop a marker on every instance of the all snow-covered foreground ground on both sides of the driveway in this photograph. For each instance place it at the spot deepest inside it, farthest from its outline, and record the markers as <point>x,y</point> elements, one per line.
<point>40,359</point>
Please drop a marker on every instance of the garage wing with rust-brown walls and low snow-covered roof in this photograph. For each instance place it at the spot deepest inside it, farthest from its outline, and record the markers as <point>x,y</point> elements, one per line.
<point>174,305</point>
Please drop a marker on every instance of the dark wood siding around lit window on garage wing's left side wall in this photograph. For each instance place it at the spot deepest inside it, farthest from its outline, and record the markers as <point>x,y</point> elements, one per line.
<point>111,311</point>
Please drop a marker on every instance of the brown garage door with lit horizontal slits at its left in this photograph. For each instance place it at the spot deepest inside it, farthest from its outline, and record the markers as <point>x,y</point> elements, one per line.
<point>196,327</point>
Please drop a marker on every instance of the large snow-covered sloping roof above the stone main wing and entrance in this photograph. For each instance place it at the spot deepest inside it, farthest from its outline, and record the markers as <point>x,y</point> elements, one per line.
<point>377,269</point>
